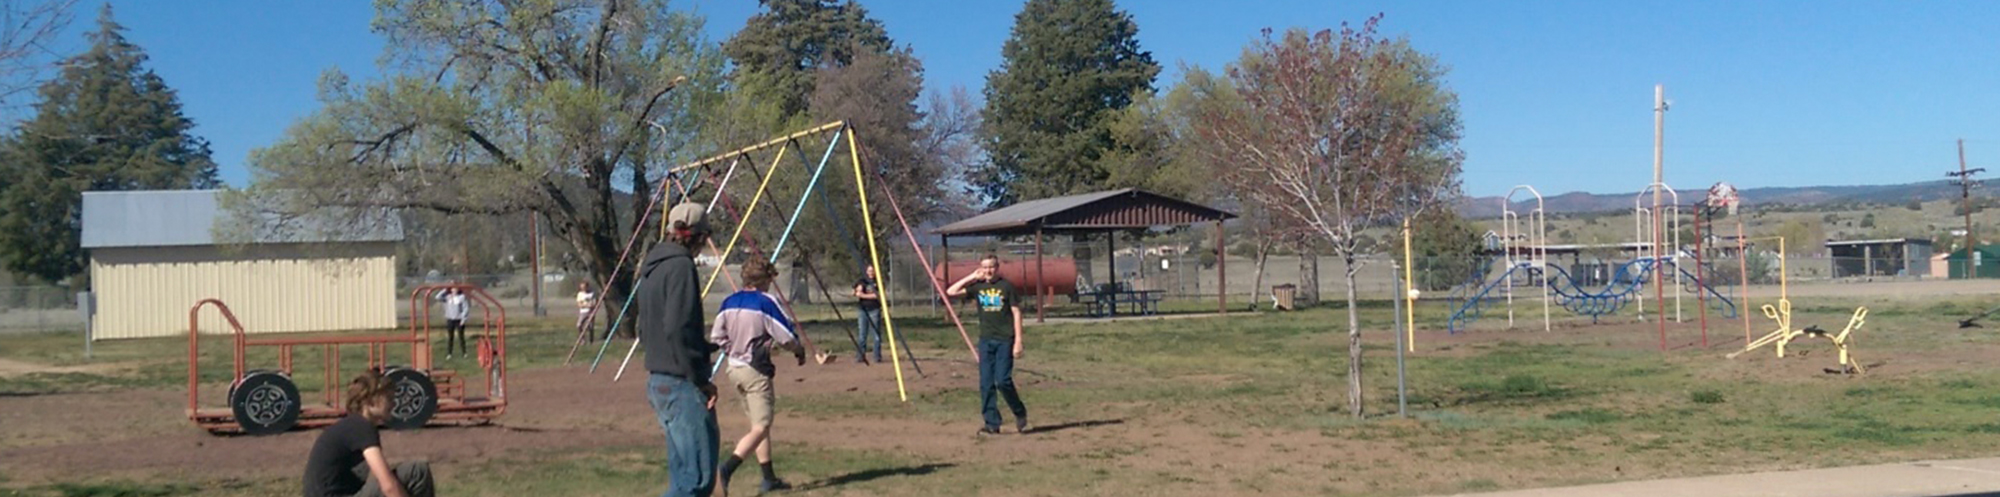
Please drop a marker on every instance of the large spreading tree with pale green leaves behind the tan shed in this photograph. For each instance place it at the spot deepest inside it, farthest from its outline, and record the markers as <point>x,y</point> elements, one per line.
<point>553,107</point>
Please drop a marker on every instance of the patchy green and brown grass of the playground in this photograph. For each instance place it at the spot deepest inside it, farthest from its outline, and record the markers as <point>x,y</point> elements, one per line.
<point>1257,404</point>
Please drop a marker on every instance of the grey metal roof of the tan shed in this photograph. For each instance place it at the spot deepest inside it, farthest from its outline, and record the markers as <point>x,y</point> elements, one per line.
<point>189,219</point>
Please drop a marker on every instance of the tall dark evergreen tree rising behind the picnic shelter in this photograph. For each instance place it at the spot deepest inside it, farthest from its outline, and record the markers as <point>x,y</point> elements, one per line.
<point>1065,73</point>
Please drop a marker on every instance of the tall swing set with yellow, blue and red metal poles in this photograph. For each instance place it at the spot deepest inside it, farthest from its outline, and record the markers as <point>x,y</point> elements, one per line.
<point>689,183</point>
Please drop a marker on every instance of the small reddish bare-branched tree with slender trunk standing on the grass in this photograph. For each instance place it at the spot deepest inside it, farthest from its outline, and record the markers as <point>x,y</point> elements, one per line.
<point>1335,133</point>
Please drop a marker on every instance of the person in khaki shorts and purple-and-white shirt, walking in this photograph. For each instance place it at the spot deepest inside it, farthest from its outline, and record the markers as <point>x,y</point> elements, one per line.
<point>749,326</point>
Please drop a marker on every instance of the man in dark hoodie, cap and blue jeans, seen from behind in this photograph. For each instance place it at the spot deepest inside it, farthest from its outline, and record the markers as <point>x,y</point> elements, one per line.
<point>677,354</point>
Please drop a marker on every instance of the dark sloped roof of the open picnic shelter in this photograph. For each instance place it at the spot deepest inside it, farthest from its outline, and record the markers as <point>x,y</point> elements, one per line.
<point>1091,211</point>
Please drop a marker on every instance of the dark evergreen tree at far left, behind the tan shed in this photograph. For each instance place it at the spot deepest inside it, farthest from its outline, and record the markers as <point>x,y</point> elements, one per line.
<point>105,123</point>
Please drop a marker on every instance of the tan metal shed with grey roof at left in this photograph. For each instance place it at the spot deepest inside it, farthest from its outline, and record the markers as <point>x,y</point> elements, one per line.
<point>155,254</point>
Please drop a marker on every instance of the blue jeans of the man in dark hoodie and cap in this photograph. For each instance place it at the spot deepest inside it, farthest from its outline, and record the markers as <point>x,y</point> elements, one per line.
<point>691,436</point>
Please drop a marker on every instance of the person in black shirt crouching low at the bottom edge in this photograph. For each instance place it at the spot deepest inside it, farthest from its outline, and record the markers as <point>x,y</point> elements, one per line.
<point>349,452</point>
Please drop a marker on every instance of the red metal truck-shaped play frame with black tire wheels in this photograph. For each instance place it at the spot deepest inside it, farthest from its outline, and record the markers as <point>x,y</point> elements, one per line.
<point>265,402</point>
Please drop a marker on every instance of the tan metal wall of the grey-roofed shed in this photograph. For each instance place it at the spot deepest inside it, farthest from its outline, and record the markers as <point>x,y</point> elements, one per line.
<point>271,288</point>
